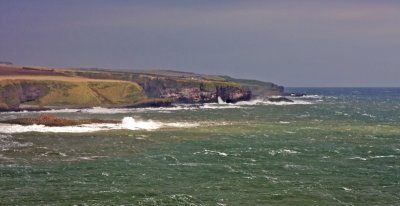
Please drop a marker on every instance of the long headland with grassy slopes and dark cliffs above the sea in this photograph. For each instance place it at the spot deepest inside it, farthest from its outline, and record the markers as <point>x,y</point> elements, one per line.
<point>43,88</point>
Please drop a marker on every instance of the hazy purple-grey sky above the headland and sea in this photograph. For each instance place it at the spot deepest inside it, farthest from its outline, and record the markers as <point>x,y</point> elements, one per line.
<point>292,43</point>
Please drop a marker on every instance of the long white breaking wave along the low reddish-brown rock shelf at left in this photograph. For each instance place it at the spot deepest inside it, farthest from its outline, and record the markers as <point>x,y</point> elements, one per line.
<point>128,123</point>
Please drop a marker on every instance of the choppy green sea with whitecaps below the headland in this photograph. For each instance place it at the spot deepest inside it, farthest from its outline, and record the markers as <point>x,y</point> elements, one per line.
<point>335,146</point>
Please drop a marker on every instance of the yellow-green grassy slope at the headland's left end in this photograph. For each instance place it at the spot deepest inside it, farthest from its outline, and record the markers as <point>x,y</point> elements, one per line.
<point>66,92</point>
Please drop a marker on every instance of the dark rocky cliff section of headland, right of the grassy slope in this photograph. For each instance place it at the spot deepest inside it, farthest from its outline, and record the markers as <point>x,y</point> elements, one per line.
<point>180,87</point>
